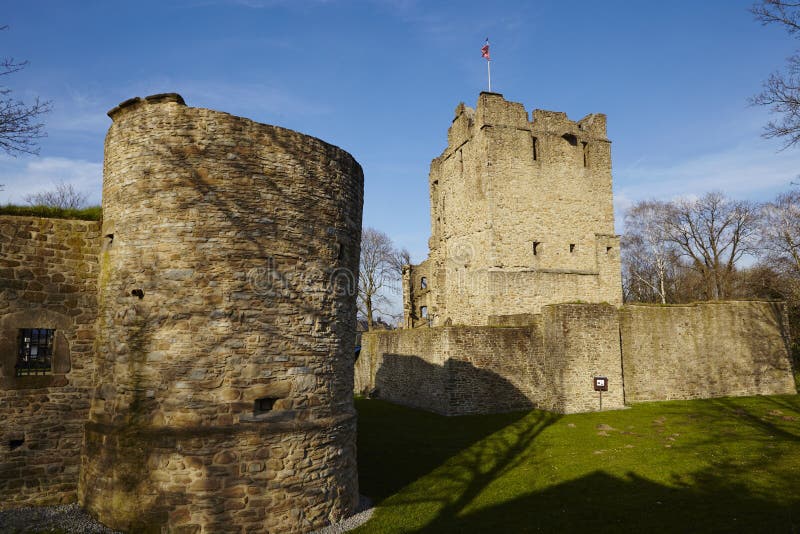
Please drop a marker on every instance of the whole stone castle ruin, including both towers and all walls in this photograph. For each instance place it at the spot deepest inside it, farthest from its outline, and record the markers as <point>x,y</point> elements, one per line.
<point>187,365</point>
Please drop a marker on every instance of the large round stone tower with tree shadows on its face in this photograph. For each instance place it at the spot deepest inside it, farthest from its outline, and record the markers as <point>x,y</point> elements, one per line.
<point>226,326</point>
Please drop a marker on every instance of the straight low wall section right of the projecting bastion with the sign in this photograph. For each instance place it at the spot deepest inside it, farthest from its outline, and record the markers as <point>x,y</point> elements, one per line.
<point>703,350</point>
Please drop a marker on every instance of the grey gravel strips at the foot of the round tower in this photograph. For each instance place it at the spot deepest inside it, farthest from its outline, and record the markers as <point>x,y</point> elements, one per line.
<point>70,518</point>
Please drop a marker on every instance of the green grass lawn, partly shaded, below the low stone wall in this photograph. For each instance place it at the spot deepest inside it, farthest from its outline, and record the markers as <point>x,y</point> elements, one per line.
<point>719,465</point>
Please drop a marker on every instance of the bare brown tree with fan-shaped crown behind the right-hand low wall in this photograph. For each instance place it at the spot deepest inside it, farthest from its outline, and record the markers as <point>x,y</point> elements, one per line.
<point>713,233</point>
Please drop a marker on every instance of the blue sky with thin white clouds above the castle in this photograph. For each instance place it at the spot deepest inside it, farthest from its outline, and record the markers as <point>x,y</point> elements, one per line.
<point>381,79</point>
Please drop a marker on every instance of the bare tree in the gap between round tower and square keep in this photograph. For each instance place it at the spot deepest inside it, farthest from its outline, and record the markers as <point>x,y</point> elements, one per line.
<point>377,270</point>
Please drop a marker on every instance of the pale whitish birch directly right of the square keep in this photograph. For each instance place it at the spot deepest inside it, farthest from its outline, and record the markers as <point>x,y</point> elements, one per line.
<point>649,256</point>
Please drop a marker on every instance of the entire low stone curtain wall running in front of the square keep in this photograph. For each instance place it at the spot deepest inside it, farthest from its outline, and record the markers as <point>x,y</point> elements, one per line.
<point>702,350</point>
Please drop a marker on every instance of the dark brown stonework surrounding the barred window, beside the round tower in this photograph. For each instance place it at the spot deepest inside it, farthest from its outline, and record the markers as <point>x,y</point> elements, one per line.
<point>48,279</point>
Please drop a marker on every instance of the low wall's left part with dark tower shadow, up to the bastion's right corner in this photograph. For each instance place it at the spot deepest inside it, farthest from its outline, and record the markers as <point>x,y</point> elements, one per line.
<point>548,364</point>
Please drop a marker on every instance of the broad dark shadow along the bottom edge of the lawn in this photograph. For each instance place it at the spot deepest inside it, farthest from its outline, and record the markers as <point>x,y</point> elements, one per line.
<point>599,502</point>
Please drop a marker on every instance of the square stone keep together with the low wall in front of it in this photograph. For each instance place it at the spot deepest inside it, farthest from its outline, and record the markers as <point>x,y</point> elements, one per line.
<point>519,303</point>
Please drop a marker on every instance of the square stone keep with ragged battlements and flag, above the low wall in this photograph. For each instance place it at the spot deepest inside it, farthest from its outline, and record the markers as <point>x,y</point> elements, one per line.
<point>521,217</point>
